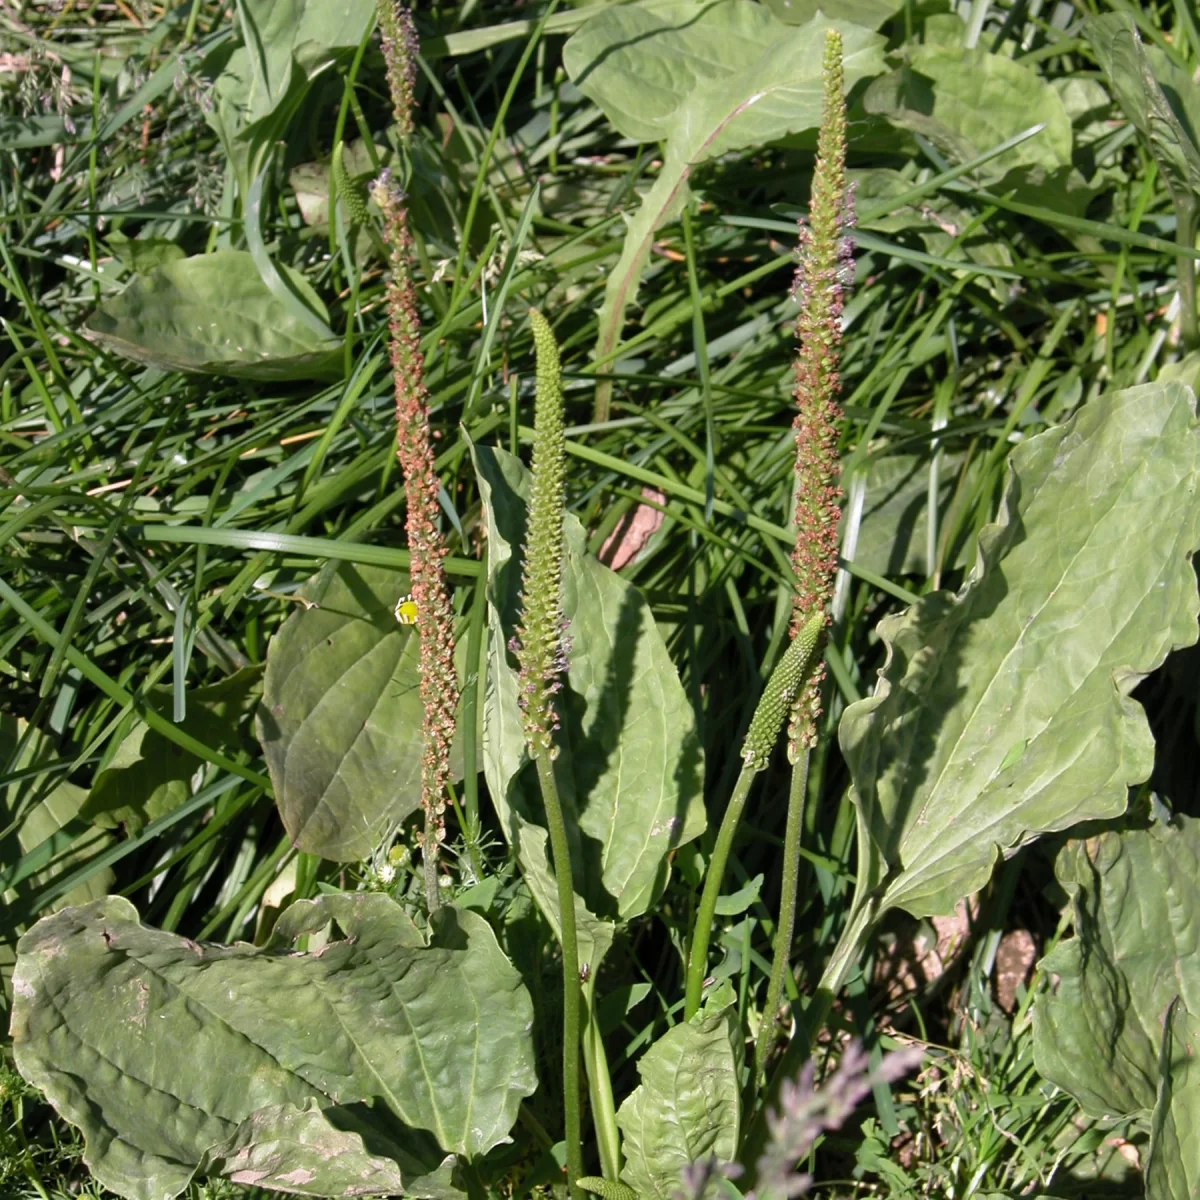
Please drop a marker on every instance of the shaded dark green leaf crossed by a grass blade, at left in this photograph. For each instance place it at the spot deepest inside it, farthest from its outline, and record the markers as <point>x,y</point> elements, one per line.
<point>149,776</point>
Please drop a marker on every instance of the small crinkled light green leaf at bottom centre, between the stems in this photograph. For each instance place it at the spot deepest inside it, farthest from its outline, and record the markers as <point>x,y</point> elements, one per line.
<point>688,1105</point>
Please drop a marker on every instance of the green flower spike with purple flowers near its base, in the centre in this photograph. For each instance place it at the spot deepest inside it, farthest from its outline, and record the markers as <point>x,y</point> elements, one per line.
<point>542,644</point>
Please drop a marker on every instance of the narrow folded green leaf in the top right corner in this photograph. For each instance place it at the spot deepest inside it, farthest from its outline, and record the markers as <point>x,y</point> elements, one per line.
<point>1159,98</point>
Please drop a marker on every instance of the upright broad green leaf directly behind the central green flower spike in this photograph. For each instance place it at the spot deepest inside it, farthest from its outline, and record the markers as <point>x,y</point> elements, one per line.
<point>631,763</point>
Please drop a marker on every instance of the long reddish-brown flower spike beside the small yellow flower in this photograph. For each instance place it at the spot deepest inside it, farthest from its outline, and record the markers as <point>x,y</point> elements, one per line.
<point>435,616</point>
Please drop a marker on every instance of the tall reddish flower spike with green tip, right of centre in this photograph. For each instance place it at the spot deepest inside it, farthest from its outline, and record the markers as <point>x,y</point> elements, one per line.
<point>825,271</point>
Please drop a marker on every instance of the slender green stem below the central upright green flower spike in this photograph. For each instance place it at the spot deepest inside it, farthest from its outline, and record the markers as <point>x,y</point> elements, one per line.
<point>561,850</point>
